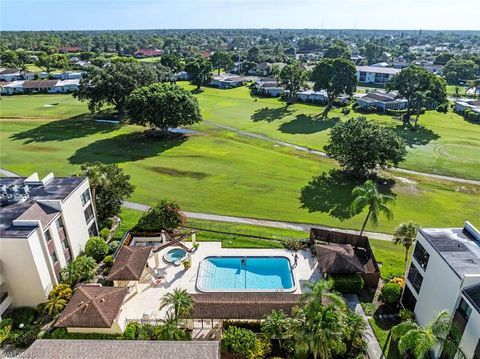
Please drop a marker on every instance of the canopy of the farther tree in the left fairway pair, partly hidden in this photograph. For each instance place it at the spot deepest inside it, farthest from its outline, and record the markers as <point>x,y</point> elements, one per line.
<point>112,84</point>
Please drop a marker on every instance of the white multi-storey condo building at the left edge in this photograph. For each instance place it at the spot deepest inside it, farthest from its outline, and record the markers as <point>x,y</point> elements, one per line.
<point>44,224</point>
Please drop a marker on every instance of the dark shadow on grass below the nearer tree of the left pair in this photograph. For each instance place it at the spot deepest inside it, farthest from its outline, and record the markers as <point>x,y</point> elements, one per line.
<point>125,148</point>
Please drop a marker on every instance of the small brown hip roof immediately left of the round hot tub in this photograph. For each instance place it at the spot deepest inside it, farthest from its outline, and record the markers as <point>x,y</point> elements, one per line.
<point>130,263</point>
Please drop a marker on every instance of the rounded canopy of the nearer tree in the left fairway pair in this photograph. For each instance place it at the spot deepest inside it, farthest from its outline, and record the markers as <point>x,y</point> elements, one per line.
<point>161,106</point>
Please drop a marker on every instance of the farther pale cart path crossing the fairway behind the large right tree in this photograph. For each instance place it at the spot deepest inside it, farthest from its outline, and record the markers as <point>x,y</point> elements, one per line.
<point>323,154</point>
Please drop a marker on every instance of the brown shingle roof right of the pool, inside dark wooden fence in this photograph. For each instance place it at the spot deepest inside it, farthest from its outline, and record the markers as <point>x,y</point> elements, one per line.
<point>340,259</point>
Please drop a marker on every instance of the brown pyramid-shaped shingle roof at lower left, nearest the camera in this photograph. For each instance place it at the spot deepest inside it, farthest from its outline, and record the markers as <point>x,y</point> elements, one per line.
<point>92,306</point>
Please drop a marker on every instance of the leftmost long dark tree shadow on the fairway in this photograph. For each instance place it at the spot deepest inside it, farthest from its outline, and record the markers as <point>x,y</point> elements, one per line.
<point>67,129</point>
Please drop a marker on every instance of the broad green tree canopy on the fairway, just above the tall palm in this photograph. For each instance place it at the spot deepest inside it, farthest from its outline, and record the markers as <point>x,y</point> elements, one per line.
<point>360,146</point>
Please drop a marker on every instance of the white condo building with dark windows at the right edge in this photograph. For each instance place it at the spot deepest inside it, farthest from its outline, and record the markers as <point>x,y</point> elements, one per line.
<point>444,274</point>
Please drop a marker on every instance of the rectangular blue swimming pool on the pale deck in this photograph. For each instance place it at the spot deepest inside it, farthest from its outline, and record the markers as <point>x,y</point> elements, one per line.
<point>245,274</point>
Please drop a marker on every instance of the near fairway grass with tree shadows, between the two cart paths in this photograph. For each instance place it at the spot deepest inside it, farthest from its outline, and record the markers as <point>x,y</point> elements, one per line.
<point>215,171</point>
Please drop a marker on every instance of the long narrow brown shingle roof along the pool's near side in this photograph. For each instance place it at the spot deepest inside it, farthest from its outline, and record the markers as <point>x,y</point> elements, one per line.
<point>241,305</point>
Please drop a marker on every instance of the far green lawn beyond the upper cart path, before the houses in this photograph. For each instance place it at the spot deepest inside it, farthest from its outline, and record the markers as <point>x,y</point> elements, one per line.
<point>447,144</point>
